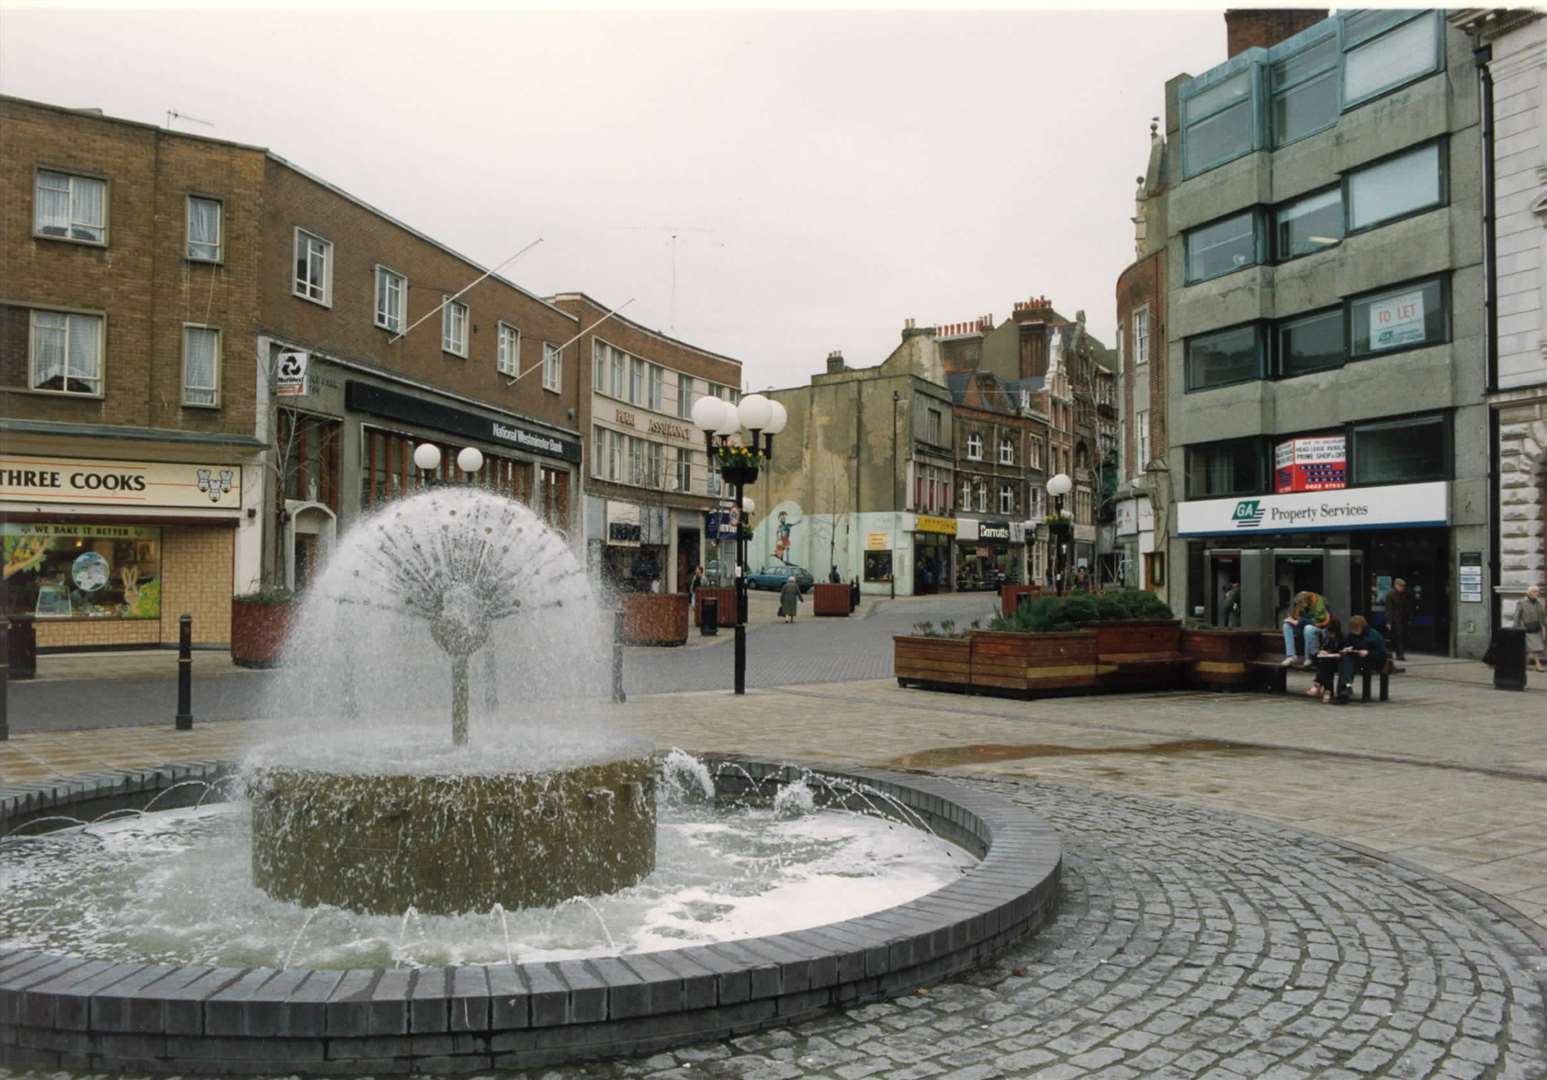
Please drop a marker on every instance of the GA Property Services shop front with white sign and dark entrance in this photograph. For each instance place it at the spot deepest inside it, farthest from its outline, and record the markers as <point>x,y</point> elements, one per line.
<point>1348,545</point>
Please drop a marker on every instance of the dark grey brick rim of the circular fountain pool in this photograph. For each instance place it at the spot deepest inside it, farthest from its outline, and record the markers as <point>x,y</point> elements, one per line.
<point>94,1014</point>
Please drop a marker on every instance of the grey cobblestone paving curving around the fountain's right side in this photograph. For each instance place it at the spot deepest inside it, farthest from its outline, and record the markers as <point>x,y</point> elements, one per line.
<point>1194,946</point>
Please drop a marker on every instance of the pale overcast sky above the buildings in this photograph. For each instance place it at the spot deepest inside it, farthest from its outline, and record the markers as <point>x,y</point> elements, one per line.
<point>828,174</point>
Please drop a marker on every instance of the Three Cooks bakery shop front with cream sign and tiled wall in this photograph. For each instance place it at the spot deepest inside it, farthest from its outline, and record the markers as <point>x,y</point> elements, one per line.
<point>109,553</point>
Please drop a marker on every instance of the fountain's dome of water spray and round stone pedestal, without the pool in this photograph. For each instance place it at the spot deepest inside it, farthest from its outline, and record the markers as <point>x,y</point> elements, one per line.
<point>521,821</point>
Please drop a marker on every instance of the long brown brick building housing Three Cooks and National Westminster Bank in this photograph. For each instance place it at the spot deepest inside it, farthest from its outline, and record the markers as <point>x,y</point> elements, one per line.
<point>211,361</point>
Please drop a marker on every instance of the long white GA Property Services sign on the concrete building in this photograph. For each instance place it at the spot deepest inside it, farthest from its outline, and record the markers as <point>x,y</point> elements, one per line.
<point>1395,507</point>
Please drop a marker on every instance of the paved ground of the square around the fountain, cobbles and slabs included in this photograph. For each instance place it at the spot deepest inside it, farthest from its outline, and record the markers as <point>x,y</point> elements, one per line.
<point>1255,886</point>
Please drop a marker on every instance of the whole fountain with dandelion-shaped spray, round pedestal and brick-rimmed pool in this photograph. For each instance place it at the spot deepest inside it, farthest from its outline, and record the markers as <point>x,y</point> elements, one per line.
<point>477,895</point>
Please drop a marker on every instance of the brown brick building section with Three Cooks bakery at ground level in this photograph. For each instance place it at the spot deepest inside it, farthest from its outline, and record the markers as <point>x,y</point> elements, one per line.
<point>131,474</point>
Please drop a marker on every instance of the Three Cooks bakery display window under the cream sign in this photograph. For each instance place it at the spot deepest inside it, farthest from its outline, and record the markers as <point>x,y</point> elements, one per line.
<point>81,572</point>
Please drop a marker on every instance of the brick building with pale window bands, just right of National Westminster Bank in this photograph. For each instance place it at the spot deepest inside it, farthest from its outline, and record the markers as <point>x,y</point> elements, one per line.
<point>651,499</point>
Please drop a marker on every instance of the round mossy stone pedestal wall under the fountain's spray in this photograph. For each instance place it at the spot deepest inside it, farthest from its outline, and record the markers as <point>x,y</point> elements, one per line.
<point>449,844</point>
